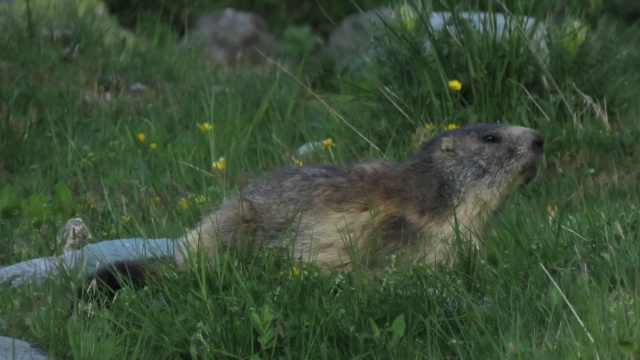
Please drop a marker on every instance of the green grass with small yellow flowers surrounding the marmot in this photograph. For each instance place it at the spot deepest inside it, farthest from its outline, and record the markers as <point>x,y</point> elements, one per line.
<point>67,151</point>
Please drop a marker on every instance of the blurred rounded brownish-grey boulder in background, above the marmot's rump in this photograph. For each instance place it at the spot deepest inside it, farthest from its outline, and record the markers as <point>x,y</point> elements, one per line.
<point>231,37</point>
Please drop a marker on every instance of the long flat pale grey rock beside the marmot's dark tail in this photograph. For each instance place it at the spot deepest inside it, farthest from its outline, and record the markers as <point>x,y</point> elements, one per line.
<point>88,259</point>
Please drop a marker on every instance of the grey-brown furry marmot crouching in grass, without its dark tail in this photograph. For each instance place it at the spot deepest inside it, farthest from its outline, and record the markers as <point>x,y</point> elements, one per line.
<point>332,215</point>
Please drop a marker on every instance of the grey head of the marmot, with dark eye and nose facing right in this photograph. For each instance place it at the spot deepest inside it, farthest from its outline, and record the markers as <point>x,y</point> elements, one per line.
<point>483,157</point>
